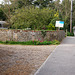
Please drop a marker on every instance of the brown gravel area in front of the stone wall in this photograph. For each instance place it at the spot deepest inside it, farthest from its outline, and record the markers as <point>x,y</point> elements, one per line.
<point>23,60</point>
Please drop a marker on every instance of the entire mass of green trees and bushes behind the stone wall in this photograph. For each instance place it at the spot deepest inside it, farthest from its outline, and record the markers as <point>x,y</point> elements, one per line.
<point>23,14</point>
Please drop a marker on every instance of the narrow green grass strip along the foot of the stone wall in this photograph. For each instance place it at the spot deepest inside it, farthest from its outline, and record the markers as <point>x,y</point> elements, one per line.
<point>55,42</point>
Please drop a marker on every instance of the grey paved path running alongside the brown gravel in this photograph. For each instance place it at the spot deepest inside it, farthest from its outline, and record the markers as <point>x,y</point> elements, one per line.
<point>61,61</point>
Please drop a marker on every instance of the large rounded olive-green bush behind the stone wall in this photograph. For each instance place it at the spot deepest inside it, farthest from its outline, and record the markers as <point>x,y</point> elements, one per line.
<point>31,17</point>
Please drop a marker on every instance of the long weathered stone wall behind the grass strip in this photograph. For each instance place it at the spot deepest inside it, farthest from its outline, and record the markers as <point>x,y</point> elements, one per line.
<point>26,35</point>
